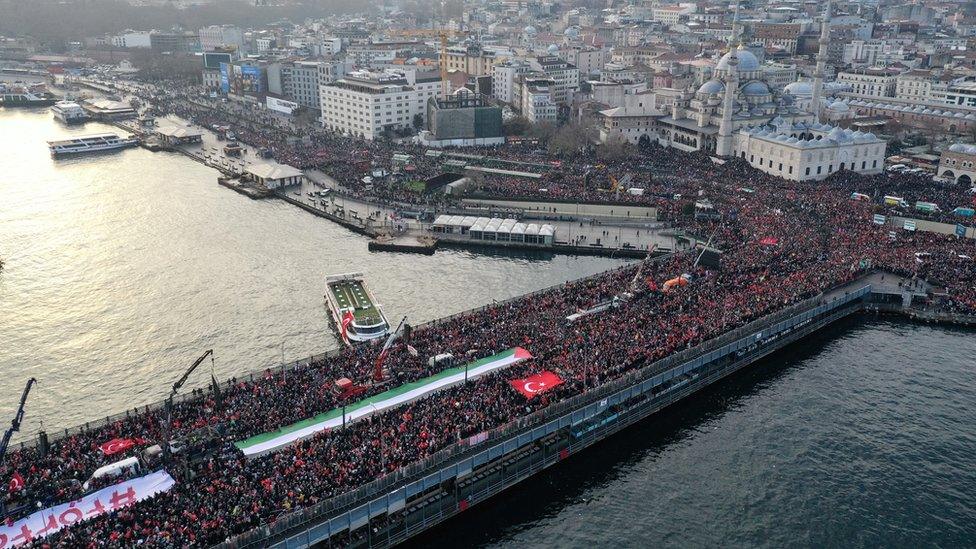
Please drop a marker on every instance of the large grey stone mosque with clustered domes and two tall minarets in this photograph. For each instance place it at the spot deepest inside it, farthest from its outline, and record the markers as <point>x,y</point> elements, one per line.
<point>735,113</point>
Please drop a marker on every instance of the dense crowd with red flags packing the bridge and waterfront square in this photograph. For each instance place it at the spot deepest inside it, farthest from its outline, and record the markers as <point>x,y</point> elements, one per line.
<point>782,242</point>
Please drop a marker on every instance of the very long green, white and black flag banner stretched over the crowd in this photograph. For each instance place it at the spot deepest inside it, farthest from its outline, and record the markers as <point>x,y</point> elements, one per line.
<point>275,440</point>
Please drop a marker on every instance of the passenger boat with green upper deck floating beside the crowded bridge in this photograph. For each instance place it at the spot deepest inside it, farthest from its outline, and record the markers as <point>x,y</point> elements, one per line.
<point>348,295</point>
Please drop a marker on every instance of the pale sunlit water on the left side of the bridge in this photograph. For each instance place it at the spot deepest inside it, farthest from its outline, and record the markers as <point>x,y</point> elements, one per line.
<point>122,268</point>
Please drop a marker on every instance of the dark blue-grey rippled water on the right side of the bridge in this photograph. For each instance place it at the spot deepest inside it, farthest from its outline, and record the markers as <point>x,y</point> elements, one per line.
<point>862,437</point>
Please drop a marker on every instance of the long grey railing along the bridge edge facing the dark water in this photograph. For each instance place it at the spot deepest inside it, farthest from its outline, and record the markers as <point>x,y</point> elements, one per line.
<point>309,517</point>
